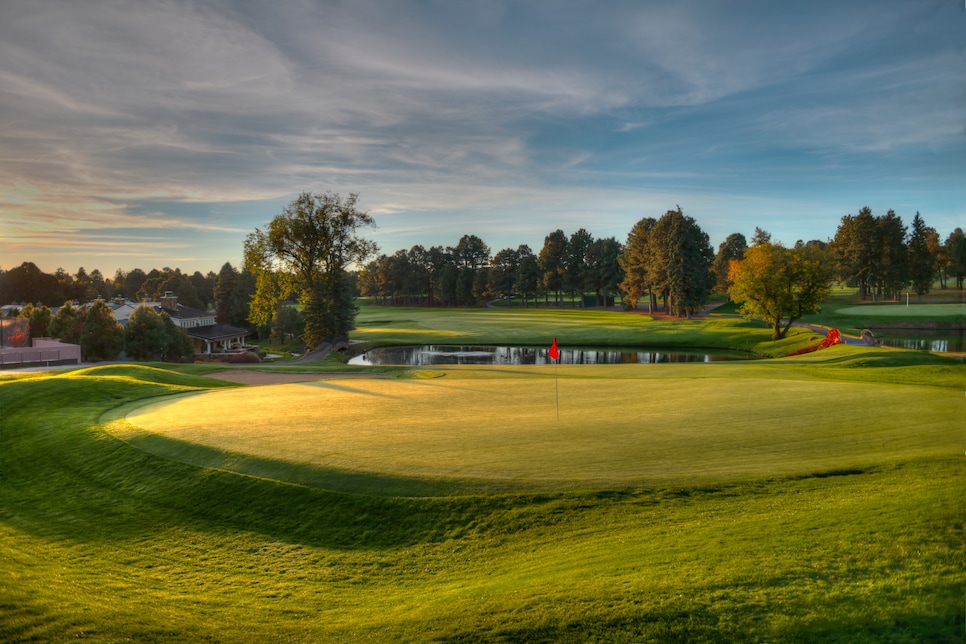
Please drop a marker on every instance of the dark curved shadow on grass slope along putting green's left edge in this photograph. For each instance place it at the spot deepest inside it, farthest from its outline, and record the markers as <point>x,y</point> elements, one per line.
<point>64,477</point>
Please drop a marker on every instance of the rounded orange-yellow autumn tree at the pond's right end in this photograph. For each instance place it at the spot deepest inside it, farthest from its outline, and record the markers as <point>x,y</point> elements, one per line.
<point>777,284</point>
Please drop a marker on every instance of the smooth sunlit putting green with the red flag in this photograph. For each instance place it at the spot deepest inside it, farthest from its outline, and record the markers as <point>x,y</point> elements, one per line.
<point>618,431</point>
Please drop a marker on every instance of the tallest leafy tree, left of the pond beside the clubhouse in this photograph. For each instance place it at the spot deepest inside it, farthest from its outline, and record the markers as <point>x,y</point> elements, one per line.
<point>307,250</point>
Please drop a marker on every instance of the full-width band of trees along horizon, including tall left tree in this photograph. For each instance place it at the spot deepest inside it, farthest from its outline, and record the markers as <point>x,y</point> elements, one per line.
<point>298,277</point>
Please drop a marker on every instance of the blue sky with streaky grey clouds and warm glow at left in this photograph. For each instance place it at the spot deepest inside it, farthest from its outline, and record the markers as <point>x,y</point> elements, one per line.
<point>143,133</point>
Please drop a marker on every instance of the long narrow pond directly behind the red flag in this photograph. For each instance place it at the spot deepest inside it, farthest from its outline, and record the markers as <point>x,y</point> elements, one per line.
<point>428,355</point>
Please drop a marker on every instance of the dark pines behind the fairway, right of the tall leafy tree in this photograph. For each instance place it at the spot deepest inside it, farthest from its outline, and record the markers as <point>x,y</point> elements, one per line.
<point>667,259</point>
